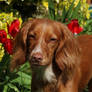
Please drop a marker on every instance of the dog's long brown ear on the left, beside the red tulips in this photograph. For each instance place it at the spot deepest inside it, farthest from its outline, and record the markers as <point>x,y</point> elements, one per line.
<point>19,48</point>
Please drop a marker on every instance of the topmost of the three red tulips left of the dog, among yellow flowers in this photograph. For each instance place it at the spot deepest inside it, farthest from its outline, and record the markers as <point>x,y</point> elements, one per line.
<point>13,29</point>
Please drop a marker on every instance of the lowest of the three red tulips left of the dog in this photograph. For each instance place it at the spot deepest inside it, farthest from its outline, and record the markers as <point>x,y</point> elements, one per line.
<point>8,45</point>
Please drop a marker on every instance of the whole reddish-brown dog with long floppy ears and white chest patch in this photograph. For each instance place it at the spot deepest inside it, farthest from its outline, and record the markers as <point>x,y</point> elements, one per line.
<point>59,61</point>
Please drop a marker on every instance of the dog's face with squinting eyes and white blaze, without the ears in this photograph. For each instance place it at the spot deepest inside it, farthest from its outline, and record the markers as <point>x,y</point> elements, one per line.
<point>42,42</point>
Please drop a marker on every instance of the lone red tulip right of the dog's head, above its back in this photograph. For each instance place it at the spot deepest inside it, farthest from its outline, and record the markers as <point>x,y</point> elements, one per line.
<point>74,26</point>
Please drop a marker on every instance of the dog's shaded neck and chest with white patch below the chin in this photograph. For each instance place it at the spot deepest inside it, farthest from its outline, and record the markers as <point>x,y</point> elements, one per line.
<point>44,79</point>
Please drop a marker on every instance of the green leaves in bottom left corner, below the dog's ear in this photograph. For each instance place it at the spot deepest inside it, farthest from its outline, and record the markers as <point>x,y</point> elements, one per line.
<point>14,81</point>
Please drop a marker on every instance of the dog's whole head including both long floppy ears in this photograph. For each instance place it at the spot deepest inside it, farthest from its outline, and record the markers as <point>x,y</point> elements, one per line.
<point>41,40</point>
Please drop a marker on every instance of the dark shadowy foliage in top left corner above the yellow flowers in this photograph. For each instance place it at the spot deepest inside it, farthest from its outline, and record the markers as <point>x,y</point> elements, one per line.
<point>19,6</point>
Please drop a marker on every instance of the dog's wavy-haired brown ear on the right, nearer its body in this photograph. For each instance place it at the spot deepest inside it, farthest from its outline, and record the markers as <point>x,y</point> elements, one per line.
<point>67,53</point>
